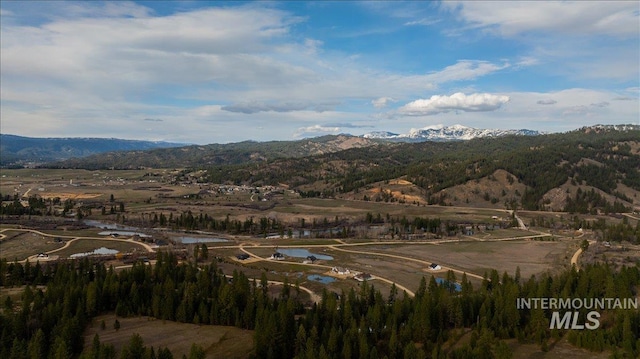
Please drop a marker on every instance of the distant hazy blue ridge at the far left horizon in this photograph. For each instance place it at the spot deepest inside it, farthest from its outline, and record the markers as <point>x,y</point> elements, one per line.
<point>17,150</point>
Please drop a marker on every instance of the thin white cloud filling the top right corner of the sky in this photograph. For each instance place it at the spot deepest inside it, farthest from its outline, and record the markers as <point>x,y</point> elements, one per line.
<point>577,40</point>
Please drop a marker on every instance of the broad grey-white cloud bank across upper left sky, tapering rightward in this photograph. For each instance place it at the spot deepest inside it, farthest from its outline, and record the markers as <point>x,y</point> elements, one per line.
<point>241,55</point>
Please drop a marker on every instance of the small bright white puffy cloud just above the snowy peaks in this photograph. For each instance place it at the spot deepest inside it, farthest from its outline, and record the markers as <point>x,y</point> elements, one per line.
<point>477,102</point>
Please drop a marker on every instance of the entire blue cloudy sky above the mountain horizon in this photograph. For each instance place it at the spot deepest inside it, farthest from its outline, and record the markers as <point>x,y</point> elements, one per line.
<point>218,72</point>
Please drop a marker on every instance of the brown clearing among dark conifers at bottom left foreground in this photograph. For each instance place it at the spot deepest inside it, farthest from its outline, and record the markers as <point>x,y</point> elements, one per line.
<point>217,341</point>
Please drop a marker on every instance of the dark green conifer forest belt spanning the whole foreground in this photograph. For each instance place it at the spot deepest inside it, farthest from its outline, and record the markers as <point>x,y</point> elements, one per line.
<point>48,321</point>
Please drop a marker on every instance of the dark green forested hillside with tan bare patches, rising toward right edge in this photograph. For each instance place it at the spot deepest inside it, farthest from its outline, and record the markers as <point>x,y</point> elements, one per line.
<point>603,159</point>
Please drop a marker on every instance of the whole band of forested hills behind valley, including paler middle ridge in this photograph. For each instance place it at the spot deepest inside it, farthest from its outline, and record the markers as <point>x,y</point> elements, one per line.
<point>591,169</point>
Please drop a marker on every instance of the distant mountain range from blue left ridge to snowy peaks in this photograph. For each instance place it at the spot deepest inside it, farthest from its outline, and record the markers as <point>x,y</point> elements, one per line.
<point>17,151</point>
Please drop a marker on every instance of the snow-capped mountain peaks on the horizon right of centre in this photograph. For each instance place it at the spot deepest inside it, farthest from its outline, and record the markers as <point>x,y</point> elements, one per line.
<point>446,133</point>
